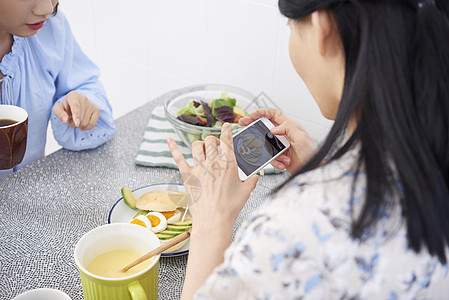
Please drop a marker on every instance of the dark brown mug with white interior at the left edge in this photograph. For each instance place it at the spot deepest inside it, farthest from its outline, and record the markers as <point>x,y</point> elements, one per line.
<point>13,135</point>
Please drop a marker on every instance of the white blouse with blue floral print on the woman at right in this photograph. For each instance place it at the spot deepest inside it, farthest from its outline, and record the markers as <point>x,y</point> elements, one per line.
<point>298,246</point>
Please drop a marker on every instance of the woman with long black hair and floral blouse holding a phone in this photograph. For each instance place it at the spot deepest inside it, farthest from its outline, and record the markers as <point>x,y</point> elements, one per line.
<point>365,216</point>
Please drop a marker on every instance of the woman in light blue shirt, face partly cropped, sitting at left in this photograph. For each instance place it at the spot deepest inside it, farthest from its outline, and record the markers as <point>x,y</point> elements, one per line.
<point>43,70</point>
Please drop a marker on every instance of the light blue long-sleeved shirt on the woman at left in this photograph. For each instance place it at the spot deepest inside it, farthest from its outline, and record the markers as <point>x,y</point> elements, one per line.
<point>39,72</point>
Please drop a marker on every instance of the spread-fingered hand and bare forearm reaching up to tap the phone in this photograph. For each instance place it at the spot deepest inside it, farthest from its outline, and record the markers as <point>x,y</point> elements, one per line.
<point>216,196</point>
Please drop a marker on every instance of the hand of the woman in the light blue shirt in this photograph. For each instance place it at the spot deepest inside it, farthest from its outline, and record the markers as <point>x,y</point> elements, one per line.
<point>78,111</point>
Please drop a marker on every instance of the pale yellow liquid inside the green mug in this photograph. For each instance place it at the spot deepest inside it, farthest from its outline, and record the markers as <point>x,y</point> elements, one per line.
<point>110,264</point>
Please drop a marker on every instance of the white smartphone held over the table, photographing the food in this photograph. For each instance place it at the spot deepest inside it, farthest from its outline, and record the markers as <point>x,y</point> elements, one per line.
<point>255,147</point>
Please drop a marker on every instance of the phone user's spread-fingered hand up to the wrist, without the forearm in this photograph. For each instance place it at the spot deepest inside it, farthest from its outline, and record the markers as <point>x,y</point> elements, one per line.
<point>217,194</point>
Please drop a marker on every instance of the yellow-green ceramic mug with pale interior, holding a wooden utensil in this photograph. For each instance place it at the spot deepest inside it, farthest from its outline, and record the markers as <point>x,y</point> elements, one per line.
<point>118,236</point>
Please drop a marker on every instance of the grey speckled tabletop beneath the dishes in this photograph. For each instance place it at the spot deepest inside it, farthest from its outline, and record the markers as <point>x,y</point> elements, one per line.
<point>47,206</point>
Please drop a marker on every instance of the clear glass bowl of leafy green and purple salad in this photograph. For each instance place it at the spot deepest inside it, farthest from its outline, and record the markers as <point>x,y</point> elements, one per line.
<point>200,110</point>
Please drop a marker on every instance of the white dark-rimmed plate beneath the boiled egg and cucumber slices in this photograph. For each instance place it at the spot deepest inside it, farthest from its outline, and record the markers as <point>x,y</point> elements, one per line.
<point>122,213</point>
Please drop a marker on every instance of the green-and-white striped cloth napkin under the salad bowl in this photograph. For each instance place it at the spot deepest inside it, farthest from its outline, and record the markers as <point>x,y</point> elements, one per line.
<point>153,150</point>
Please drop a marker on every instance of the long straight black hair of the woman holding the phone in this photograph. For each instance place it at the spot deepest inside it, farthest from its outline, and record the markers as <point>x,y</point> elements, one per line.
<point>396,83</point>
